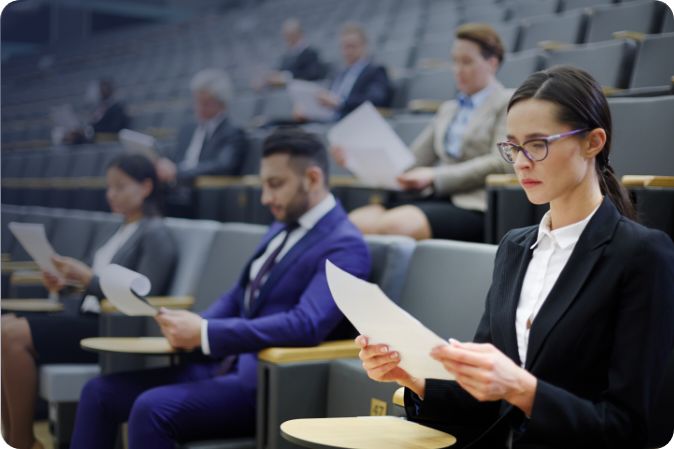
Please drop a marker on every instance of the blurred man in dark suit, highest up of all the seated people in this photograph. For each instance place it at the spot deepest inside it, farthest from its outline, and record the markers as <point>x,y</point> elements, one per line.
<point>300,61</point>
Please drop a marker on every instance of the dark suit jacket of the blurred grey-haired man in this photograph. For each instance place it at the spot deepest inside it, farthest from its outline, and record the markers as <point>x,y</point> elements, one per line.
<point>223,152</point>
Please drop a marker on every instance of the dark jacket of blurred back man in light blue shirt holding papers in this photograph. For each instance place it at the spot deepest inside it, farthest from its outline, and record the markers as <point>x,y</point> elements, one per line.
<point>371,85</point>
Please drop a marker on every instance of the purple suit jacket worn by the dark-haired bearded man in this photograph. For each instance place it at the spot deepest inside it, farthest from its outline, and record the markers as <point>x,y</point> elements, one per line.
<point>295,307</point>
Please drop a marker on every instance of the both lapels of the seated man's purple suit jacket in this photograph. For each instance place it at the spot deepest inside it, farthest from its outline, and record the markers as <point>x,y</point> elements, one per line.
<point>311,239</point>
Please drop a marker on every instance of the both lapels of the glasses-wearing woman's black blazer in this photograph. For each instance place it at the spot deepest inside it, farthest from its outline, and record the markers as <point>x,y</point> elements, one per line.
<point>598,233</point>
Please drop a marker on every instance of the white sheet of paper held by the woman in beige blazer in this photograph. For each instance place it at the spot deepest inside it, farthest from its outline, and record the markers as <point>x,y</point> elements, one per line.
<point>374,152</point>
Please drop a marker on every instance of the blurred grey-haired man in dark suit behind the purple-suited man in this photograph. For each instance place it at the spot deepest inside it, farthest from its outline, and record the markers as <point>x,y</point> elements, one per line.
<point>214,146</point>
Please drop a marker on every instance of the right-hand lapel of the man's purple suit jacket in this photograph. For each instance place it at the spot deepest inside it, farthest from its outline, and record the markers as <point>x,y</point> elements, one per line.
<point>312,238</point>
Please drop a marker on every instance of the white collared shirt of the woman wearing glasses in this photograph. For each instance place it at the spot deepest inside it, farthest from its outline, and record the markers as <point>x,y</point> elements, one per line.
<point>552,251</point>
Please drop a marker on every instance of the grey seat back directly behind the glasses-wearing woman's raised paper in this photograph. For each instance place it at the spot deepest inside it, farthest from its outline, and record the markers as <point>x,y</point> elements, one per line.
<point>446,286</point>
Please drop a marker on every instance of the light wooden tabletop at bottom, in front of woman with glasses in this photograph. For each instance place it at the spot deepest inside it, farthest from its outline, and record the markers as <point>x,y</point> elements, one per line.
<point>364,432</point>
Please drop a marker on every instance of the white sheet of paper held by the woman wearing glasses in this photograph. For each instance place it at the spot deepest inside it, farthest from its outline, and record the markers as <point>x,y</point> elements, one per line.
<point>373,314</point>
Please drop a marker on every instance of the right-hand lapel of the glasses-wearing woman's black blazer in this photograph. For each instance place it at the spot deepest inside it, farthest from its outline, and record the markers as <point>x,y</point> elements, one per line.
<point>588,250</point>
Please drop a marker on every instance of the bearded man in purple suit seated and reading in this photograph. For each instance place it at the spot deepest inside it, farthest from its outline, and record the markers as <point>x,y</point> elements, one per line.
<point>281,299</point>
